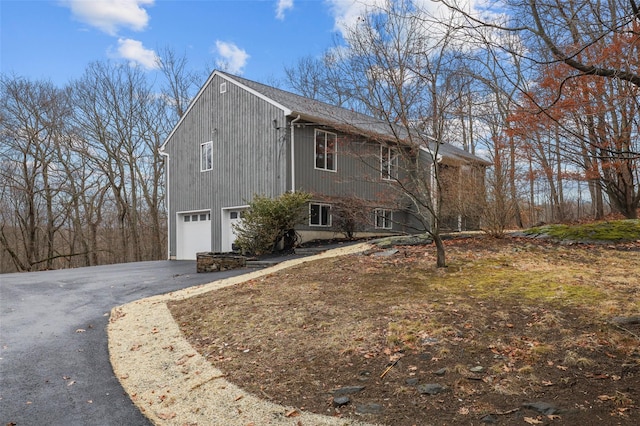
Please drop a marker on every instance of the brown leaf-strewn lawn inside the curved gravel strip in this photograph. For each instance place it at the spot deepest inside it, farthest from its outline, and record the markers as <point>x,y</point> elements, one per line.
<point>514,323</point>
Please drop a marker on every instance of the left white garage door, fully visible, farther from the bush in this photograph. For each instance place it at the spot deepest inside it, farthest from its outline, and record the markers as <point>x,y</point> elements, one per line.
<point>194,234</point>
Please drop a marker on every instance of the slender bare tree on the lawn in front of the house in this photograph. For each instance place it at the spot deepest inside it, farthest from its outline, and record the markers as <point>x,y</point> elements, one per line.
<point>400,63</point>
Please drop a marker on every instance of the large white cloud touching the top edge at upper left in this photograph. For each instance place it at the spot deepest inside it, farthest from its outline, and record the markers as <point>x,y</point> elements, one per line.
<point>110,15</point>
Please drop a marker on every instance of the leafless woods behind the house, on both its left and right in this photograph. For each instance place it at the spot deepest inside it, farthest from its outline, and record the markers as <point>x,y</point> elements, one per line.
<point>547,90</point>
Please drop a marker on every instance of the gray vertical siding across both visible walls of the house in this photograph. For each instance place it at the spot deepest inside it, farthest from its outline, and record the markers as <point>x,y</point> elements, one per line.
<point>251,155</point>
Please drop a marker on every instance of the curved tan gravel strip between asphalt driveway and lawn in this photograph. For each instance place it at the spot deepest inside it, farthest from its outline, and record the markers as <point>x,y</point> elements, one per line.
<point>172,384</point>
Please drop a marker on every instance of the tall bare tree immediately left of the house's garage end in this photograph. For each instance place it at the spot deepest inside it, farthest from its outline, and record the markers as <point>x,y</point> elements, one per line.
<point>122,122</point>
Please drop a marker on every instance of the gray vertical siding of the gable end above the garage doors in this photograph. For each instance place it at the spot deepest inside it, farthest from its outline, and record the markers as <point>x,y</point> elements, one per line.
<point>249,154</point>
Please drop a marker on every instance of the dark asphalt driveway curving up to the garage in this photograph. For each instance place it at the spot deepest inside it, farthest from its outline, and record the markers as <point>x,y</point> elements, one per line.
<point>54,362</point>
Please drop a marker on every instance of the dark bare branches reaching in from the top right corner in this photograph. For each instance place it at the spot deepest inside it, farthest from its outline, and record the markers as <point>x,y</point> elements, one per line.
<point>567,30</point>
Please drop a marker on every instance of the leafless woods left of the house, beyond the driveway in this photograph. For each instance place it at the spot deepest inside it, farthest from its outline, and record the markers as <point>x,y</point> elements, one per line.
<point>81,177</point>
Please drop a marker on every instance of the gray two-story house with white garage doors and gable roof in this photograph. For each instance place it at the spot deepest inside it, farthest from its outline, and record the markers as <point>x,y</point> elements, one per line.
<point>240,138</point>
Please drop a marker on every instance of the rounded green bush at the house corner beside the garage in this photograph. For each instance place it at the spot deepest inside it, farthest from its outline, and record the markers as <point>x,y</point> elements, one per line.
<point>271,221</point>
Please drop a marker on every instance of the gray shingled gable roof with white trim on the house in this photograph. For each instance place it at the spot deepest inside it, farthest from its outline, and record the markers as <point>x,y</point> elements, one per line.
<point>318,112</point>
